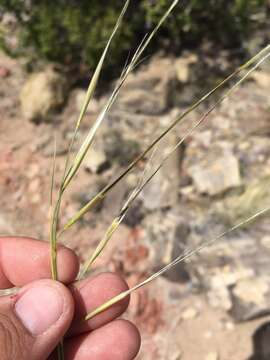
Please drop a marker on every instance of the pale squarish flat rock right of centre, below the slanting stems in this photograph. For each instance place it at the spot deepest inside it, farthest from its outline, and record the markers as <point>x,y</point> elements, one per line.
<point>216,174</point>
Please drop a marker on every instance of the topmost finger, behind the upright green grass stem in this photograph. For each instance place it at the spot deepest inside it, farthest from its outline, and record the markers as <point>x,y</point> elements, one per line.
<point>23,260</point>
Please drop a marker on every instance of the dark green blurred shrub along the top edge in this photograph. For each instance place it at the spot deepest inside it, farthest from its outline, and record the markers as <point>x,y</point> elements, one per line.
<point>74,32</point>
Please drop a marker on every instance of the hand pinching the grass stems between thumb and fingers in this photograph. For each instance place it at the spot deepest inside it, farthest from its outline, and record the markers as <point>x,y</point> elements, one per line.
<point>35,319</point>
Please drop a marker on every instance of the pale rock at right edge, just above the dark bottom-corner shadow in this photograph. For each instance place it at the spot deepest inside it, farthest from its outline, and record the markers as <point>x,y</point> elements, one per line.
<point>251,298</point>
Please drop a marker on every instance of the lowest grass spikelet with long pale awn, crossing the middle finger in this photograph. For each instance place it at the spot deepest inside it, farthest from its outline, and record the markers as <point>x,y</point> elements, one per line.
<point>176,261</point>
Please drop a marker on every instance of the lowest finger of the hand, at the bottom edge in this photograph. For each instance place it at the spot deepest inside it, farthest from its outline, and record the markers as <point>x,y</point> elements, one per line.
<point>118,340</point>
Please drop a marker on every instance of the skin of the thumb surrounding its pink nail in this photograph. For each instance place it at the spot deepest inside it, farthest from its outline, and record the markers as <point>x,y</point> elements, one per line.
<point>16,341</point>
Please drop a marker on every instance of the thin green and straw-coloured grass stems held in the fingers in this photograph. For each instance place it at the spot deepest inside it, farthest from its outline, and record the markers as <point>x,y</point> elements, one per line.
<point>73,163</point>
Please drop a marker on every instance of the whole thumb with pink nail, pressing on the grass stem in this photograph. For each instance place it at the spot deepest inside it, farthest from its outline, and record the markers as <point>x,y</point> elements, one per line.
<point>33,321</point>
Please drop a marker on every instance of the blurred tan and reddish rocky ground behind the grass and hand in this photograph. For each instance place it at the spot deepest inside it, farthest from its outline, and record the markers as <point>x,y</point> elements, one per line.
<point>214,306</point>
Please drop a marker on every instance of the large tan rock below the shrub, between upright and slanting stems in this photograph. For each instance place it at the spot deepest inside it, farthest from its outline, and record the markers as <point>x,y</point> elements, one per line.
<point>149,90</point>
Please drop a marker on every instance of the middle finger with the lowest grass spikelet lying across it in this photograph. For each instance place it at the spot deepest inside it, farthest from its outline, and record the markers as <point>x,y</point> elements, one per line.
<point>89,294</point>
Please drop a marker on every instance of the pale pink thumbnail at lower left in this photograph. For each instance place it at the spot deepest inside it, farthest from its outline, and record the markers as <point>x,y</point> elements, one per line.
<point>39,308</point>
